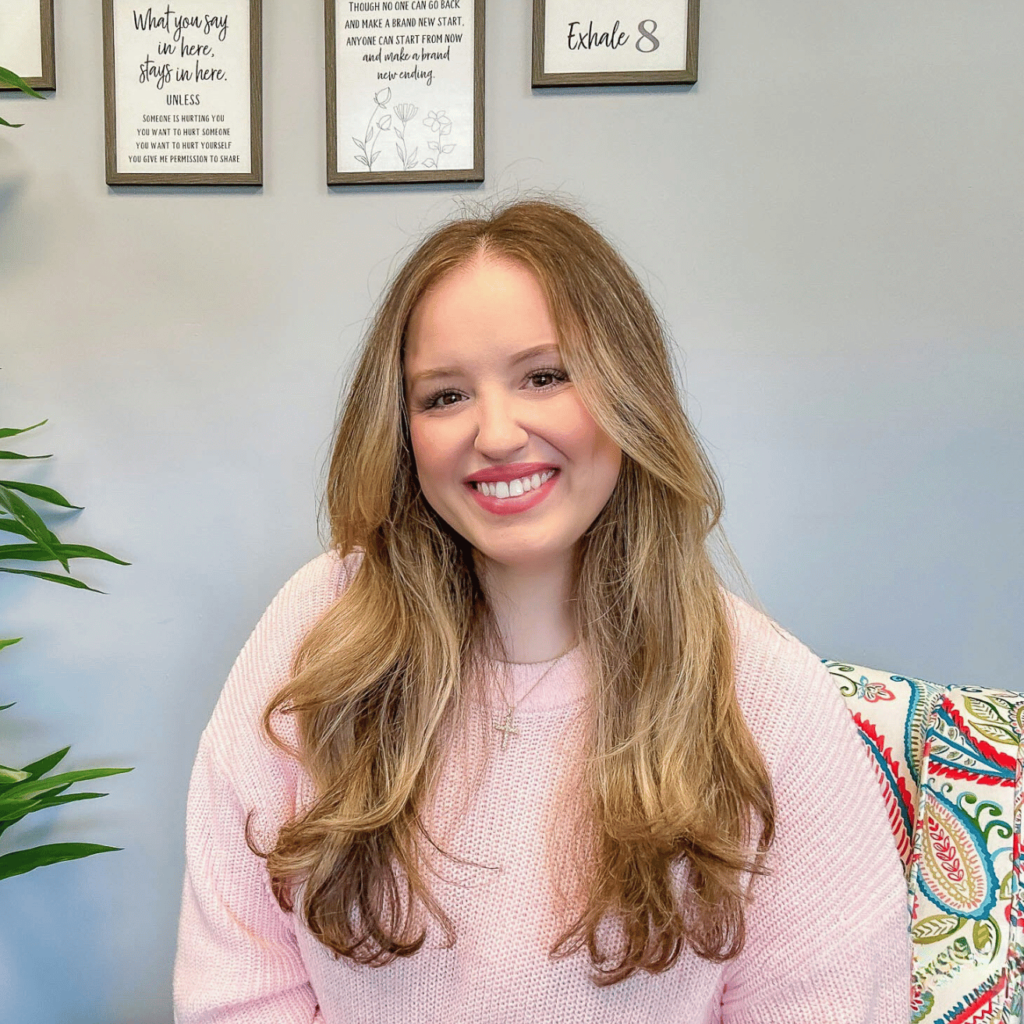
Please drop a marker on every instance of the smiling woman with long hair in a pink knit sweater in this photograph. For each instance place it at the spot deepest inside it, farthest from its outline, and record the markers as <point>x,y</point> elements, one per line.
<point>531,761</point>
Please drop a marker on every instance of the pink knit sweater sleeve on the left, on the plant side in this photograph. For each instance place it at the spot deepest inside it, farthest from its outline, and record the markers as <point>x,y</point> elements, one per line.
<point>238,957</point>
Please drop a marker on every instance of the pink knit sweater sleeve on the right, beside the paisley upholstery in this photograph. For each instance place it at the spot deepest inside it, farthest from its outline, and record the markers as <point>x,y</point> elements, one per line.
<point>828,932</point>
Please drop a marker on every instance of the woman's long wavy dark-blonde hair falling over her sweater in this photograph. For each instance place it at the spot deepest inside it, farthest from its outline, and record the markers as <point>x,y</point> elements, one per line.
<point>673,776</point>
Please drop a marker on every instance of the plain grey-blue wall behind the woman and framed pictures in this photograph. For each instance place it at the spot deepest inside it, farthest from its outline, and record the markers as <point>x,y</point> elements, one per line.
<point>831,222</point>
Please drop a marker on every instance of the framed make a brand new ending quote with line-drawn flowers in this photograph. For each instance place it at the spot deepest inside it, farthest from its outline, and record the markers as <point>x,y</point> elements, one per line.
<point>405,92</point>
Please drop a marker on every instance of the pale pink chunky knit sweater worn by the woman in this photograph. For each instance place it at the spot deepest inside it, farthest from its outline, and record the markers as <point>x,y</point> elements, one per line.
<point>828,932</point>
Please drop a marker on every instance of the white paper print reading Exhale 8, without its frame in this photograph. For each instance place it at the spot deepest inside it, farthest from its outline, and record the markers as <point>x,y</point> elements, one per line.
<point>615,36</point>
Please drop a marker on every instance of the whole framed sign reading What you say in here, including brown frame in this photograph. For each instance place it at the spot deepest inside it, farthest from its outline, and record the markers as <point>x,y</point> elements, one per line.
<point>184,93</point>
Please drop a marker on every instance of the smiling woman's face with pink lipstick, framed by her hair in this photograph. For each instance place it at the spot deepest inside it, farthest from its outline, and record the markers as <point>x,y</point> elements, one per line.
<point>489,399</point>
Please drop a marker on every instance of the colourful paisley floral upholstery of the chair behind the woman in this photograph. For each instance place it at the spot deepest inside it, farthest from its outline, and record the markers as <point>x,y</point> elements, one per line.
<point>949,760</point>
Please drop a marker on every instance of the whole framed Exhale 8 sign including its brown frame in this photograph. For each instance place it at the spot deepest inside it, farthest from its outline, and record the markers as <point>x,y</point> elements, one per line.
<point>615,42</point>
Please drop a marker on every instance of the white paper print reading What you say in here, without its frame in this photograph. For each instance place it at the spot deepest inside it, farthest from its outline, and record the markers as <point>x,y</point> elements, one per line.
<point>183,77</point>
